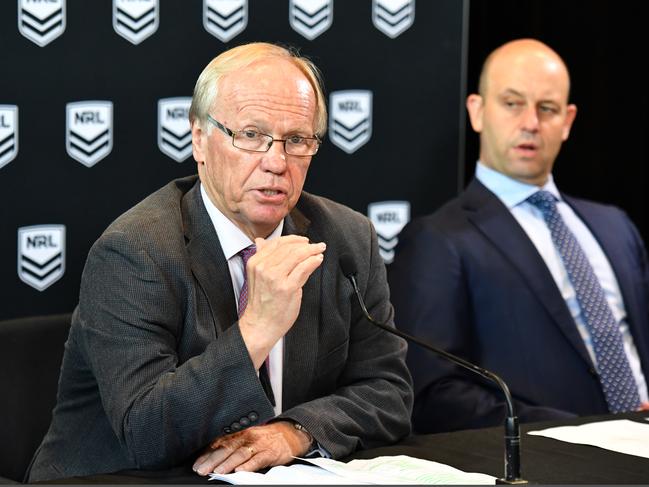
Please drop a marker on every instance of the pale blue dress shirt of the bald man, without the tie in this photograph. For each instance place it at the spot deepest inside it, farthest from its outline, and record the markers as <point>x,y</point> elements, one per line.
<point>514,194</point>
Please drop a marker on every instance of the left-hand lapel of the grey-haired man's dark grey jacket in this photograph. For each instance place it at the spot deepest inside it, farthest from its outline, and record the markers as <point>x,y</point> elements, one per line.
<point>208,264</point>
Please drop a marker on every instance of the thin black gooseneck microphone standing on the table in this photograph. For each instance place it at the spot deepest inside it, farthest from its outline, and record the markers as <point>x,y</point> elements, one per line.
<point>512,430</point>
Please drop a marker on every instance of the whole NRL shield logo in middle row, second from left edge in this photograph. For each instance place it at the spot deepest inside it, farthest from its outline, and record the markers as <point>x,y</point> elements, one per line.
<point>89,131</point>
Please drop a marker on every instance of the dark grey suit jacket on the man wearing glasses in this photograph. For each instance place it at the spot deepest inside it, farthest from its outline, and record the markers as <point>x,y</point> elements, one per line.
<point>155,366</point>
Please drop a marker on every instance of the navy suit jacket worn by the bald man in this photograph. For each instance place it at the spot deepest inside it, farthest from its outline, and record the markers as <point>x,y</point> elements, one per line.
<point>468,279</point>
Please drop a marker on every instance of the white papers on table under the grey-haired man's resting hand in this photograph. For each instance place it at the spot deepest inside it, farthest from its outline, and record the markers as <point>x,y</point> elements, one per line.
<point>390,470</point>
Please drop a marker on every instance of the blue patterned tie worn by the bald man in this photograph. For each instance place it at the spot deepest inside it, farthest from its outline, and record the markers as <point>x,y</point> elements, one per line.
<point>618,383</point>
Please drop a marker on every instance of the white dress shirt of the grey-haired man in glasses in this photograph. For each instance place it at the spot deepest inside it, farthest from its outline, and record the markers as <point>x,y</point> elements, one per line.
<point>233,241</point>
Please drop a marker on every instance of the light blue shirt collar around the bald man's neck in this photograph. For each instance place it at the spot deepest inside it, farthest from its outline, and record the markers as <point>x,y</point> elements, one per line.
<point>511,191</point>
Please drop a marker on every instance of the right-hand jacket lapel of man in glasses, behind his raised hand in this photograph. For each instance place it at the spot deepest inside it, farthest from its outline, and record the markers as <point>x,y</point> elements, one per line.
<point>301,341</point>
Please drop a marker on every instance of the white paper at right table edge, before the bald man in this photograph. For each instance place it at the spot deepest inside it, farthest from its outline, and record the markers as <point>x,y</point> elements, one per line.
<point>620,435</point>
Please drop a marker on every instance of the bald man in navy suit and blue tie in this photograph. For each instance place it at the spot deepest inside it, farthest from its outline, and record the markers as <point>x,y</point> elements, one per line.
<point>548,291</point>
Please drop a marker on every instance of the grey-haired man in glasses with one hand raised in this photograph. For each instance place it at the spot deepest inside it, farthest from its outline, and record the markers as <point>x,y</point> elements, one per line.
<point>213,327</point>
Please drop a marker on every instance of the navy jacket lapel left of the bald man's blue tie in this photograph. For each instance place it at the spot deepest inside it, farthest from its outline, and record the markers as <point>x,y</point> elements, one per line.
<point>498,225</point>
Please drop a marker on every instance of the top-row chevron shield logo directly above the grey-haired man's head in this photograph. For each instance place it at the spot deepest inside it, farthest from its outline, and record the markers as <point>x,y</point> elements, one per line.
<point>224,19</point>
